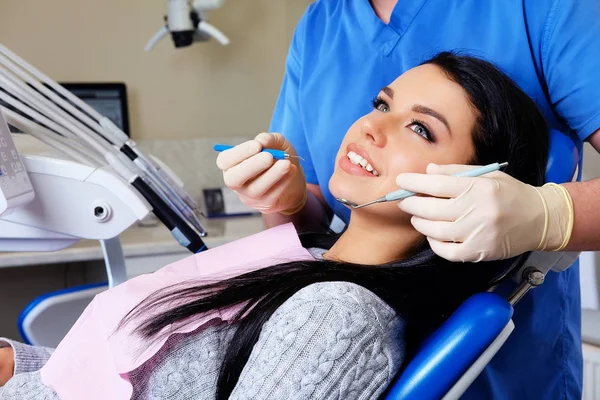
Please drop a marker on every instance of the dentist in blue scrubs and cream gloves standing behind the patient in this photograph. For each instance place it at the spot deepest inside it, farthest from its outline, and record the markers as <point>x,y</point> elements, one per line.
<point>344,51</point>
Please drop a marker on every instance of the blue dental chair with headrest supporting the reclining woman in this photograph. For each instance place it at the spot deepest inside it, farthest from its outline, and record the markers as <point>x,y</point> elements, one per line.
<point>450,360</point>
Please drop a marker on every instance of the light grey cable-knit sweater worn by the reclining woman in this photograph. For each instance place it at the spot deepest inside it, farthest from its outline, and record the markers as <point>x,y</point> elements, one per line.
<point>331,340</point>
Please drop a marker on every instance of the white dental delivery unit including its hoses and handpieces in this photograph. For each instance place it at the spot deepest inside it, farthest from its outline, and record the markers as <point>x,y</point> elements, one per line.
<point>97,152</point>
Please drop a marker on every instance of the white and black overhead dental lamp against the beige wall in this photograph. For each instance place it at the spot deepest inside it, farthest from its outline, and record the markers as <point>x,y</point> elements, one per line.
<point>187,23</point>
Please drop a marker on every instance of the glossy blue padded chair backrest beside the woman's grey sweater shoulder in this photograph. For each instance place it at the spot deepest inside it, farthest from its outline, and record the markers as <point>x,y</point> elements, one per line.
<point>451,350</point>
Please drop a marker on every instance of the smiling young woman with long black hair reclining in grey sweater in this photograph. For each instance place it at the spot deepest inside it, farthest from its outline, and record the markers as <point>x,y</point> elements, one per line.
<point>342,323</point>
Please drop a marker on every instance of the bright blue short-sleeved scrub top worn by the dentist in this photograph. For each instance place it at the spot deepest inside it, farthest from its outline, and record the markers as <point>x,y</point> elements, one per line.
<point>342,54</point>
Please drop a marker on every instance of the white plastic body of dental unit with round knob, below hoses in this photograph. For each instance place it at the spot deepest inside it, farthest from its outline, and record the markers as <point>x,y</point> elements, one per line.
<point>68,197</point>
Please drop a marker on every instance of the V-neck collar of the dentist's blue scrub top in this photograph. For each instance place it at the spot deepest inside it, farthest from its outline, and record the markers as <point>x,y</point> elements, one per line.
<point>386,36</point>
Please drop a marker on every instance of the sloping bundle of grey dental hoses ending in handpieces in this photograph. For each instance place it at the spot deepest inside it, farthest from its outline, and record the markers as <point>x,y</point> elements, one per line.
<point>55,116</point>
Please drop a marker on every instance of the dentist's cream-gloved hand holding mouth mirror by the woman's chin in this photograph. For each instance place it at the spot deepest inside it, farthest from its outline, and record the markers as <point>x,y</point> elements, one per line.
<point>486,218</point>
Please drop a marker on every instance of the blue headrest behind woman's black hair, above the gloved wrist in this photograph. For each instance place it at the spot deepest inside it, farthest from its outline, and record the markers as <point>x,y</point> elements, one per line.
<point>562,159</point>
